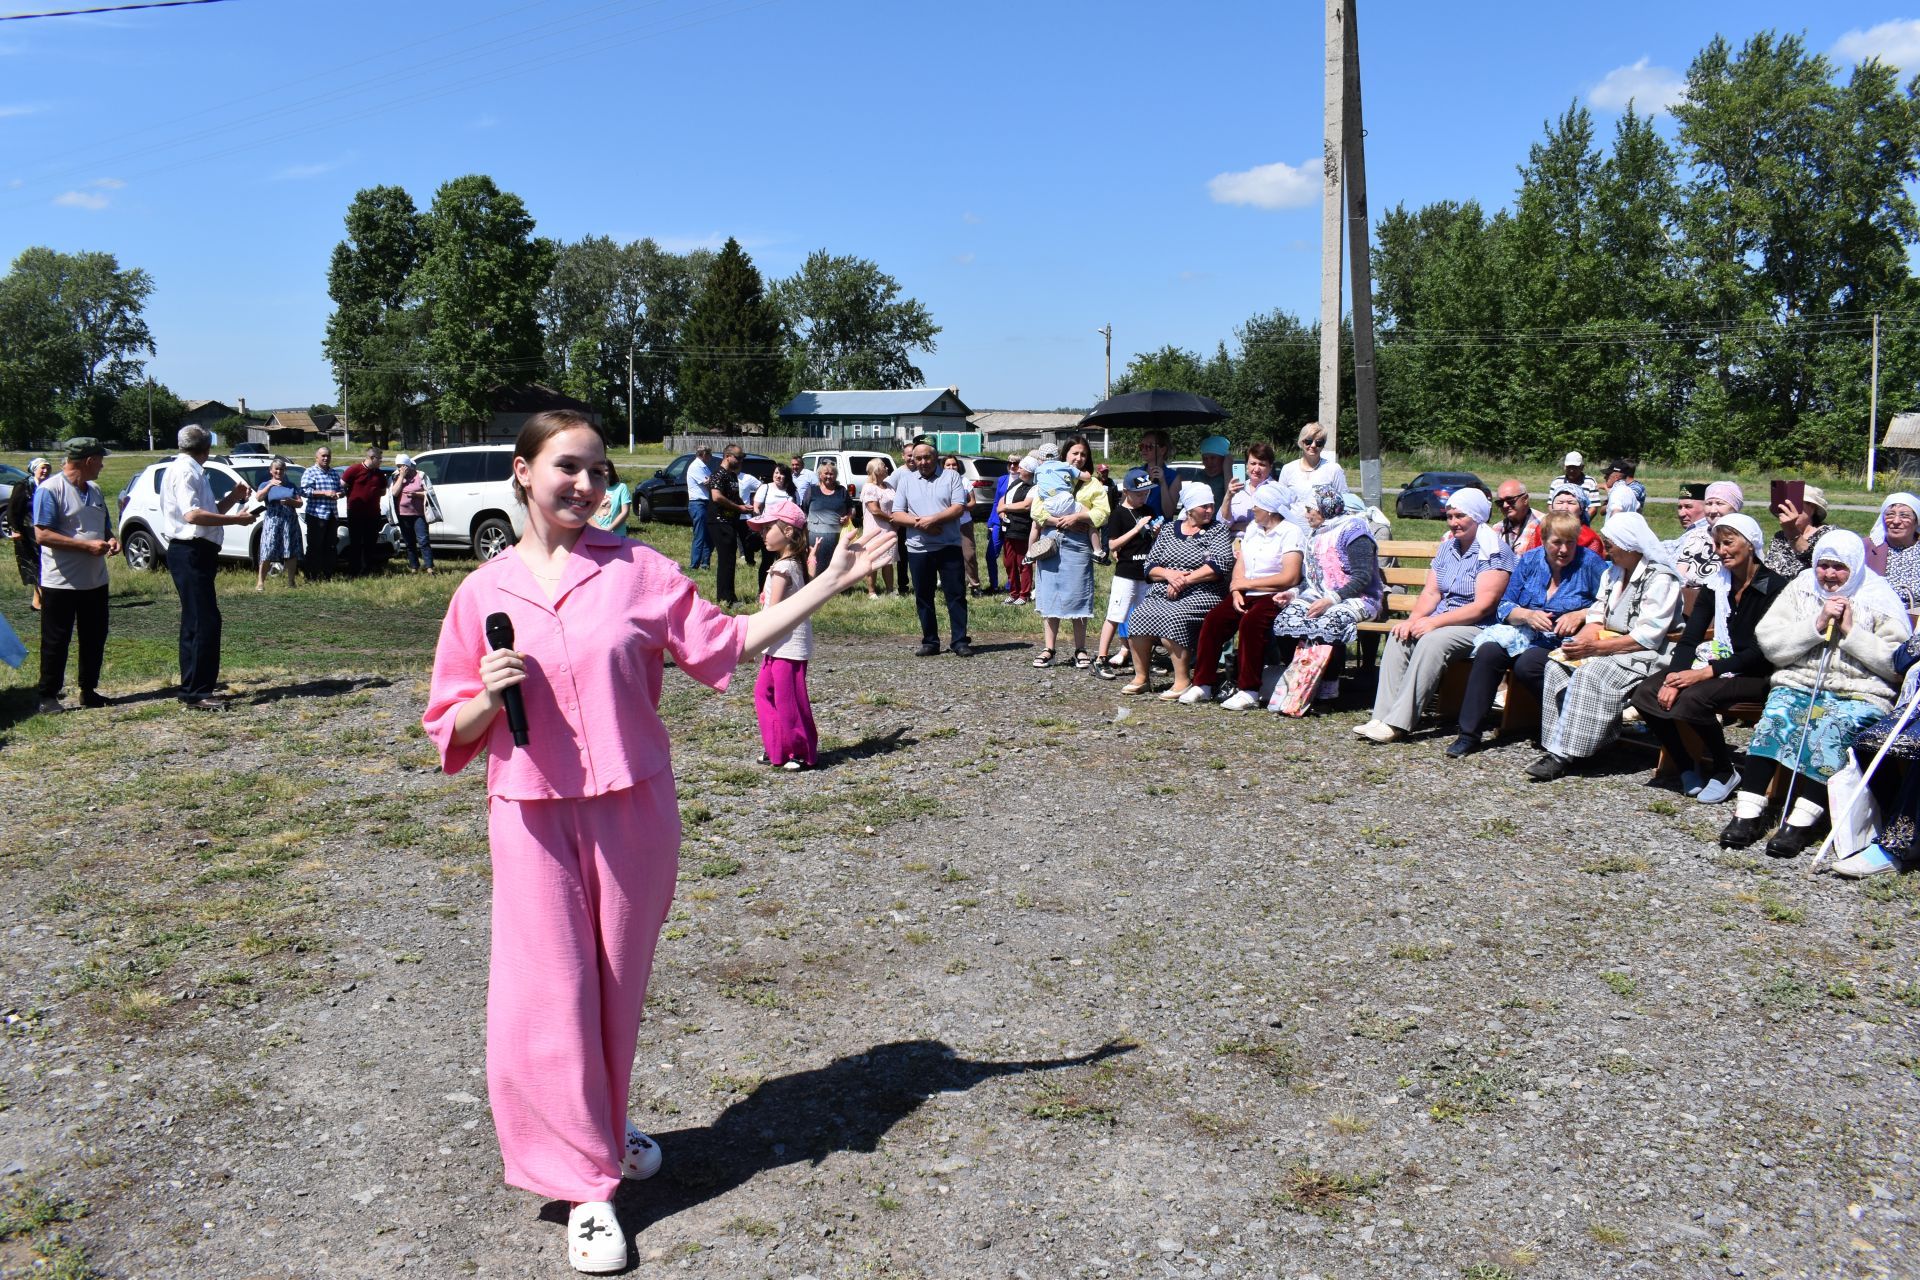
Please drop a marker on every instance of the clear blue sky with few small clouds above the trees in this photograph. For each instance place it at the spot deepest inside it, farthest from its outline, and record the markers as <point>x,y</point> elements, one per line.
<point>1028,170</point>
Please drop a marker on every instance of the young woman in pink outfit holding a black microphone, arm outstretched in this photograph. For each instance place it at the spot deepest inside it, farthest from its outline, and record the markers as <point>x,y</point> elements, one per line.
<point>583,822</point>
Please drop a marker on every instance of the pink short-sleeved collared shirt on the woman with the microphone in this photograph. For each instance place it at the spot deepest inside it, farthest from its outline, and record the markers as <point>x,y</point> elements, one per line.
<point>594,667</point>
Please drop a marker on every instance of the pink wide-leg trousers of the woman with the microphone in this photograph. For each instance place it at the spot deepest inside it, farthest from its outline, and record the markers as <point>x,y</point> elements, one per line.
<point>581,893</point>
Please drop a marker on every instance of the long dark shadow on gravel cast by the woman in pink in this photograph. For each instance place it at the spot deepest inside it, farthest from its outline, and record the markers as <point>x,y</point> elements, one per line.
<point>846,1106</point>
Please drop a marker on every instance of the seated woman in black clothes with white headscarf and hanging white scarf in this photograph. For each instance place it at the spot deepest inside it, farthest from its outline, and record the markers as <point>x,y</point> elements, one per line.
<point>1708,676</point>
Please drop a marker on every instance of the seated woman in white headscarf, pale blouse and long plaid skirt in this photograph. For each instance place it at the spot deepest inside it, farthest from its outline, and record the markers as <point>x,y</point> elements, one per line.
<point>1593,676</point>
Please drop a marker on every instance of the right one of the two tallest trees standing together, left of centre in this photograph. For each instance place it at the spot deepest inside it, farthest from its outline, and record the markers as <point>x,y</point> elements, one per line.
<point>477,281</point>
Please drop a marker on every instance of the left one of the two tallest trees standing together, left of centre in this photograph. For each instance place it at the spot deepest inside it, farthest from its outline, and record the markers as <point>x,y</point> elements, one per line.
<point>373,333</point>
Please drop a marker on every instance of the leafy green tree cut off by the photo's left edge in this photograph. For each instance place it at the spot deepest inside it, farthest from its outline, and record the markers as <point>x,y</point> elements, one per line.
<point>72,333</point>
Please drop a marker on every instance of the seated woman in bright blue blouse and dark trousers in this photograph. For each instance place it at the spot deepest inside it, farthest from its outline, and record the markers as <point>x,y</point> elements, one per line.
<point>1547,602</point>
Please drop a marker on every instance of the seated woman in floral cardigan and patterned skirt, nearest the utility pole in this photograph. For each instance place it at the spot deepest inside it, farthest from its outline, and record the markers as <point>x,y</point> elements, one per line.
<point>1343,588</point>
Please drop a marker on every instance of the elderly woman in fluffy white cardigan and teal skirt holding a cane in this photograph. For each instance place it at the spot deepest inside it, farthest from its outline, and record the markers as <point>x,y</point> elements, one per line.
<point>1833,638</point>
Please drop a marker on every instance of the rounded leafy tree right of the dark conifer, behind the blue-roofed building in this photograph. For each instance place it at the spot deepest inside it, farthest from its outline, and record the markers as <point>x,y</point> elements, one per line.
<point>852,329</point>
